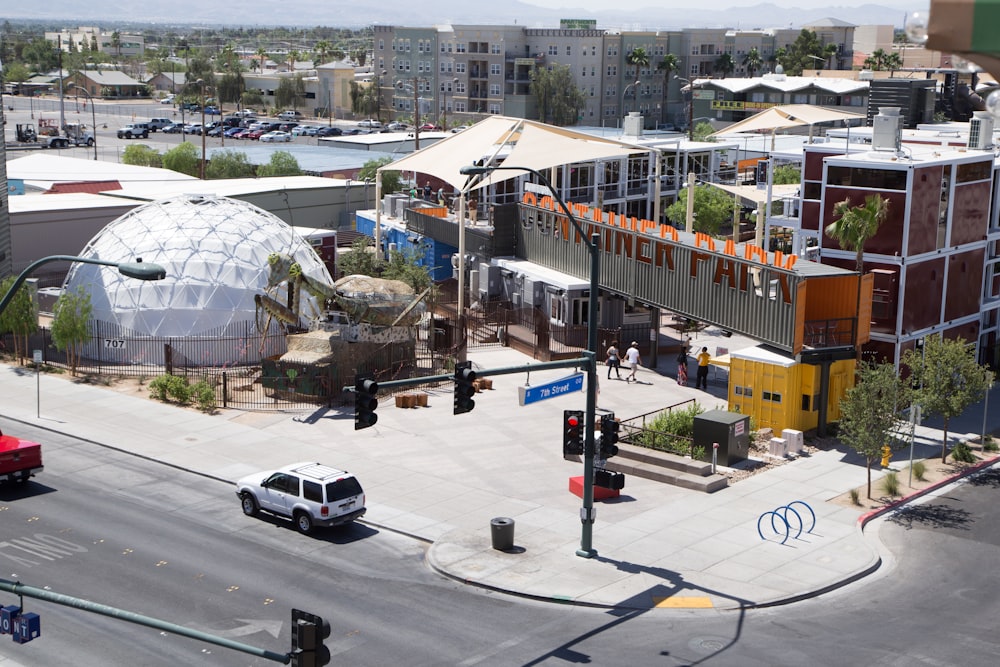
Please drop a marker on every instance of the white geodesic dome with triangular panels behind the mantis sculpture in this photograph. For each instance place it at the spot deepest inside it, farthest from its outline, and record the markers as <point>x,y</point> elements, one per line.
<point>215,251</point>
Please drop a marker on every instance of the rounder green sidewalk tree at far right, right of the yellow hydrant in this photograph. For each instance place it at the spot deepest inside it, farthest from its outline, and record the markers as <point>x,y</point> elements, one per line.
<point>947,379</point>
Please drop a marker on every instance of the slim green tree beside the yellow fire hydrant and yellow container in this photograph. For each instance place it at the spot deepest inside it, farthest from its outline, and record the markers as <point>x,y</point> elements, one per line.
<point>868,412</point>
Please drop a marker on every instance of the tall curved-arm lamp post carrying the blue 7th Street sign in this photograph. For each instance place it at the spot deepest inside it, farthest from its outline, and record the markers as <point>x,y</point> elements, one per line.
<point>587,512</point>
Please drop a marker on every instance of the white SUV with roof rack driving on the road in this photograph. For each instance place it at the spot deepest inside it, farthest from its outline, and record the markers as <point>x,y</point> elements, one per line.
<point>310,494</point>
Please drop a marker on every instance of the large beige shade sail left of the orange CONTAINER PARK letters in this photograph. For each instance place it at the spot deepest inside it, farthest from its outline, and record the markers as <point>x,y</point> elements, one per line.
<point>520,142</point>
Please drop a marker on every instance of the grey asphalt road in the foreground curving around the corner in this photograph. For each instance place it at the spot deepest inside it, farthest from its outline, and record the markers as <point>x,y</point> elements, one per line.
<point>138,535</point>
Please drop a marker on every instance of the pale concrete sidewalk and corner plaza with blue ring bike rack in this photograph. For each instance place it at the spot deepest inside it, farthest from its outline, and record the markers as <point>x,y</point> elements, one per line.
<point>442,478</point>
